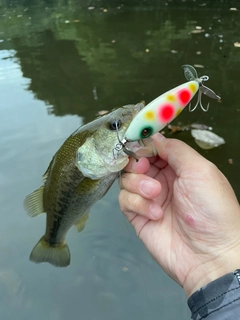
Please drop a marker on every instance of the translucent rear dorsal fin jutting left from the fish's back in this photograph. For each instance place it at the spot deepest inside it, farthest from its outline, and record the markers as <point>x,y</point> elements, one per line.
<point>33,203</point>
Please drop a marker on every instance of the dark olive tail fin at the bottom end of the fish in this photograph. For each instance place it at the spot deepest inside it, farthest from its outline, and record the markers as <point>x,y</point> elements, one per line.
<point>57,255</point>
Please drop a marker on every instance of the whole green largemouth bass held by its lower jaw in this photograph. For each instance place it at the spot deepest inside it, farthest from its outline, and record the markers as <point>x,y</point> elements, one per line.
<point>80,173</point>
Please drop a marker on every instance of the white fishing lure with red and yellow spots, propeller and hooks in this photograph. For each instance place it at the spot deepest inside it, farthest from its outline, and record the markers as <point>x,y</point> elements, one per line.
<point>162,110</point>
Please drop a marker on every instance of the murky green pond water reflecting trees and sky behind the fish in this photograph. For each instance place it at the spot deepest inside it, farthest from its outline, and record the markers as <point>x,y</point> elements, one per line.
<point>60,65</point>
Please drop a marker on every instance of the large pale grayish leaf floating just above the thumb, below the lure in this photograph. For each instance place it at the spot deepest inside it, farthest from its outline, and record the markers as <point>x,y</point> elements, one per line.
<point>206,139</point>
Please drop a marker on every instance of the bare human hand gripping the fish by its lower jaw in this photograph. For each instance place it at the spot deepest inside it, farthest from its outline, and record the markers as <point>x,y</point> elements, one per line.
<point>185,212</point>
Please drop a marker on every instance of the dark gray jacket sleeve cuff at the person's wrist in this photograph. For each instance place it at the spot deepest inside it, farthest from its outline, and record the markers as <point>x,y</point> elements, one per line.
<point>218,300</point>
